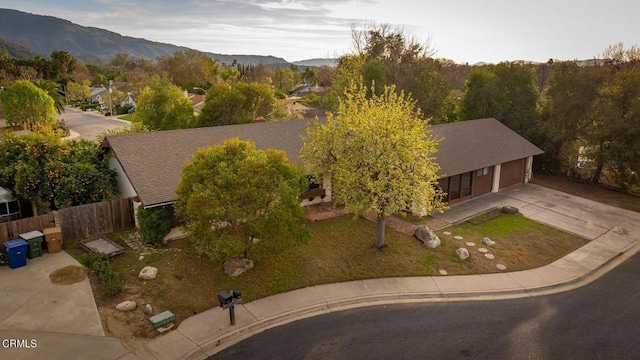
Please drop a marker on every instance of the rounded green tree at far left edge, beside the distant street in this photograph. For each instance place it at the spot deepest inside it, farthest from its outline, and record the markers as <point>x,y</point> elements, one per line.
<point>27,105</point>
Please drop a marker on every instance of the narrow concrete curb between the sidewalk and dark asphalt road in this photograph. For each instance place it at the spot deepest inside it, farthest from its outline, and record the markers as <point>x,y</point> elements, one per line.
<point>231,338</point>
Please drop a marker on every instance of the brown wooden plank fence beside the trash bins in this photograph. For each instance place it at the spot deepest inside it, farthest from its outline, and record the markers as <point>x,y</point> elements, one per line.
<point>78,222</point>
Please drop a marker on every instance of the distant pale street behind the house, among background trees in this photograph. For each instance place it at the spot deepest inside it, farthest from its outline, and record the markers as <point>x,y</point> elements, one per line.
<point>89,124</point>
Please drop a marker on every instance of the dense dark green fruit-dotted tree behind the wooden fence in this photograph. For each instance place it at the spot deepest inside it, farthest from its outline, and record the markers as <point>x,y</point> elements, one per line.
<point>44,169</point>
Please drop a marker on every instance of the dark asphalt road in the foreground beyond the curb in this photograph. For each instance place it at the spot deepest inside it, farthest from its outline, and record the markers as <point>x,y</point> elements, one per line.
<point>598,321</point>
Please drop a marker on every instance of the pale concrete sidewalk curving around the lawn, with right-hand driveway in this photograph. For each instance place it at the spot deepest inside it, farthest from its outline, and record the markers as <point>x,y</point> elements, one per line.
<point>615,235</point>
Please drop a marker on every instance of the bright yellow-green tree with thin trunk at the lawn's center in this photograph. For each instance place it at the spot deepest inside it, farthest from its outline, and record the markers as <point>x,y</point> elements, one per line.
<point>379,154</point>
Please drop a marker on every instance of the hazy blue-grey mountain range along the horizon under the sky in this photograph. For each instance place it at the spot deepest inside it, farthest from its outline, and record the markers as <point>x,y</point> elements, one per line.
<point>24,35</point>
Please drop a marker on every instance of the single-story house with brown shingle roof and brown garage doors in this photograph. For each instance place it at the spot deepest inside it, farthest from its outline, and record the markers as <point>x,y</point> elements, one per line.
<point>476,157</point>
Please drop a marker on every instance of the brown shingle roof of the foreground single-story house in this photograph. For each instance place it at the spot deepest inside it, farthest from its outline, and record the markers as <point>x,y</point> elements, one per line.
<point>153,161</point>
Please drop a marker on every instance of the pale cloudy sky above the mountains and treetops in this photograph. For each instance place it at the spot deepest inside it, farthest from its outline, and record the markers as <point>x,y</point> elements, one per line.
<point>465,31</point>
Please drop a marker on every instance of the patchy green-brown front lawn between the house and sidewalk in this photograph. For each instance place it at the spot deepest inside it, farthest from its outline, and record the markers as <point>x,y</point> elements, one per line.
<point>341,249</point>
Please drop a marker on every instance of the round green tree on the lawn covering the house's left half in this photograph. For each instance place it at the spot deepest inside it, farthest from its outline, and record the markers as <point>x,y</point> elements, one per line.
<point>234,198</point>
